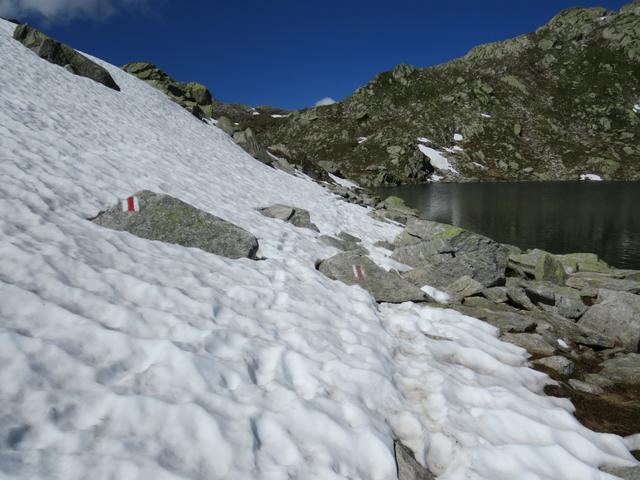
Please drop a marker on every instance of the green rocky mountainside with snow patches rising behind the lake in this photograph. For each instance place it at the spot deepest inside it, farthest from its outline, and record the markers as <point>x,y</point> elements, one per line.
<point>554,104</point>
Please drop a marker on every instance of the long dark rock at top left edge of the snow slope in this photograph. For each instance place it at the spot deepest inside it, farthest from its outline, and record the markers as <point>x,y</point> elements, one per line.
<point>60,54</point>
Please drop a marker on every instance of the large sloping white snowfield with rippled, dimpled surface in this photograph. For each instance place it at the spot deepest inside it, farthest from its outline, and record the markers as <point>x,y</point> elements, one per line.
<point>133,359</point>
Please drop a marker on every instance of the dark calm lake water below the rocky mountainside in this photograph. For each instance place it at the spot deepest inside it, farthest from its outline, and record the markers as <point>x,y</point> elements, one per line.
<point>560,217</point>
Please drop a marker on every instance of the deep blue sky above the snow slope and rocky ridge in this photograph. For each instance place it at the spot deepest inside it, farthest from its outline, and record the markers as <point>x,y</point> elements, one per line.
<point>284,53</point>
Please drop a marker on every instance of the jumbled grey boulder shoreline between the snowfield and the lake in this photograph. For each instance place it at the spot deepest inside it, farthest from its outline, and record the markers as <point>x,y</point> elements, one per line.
<point>577,316</point>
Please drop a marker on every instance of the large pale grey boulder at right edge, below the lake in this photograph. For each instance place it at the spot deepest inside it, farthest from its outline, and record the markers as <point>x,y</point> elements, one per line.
<point>616,315</point>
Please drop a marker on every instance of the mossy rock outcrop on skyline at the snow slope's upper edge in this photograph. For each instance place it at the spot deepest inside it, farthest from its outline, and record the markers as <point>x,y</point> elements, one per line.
<point>193,96</point>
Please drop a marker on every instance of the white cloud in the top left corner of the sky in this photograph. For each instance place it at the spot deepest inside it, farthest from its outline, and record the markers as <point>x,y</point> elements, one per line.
<point>60,10</point>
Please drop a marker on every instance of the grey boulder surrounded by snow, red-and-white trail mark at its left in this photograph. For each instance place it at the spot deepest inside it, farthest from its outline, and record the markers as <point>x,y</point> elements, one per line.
<point>167,219</point>
